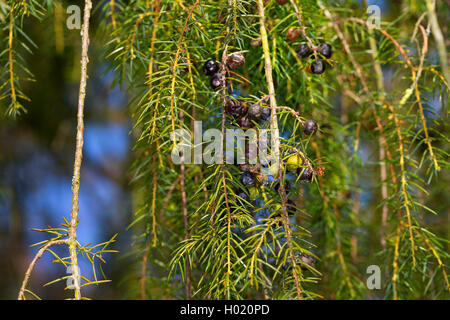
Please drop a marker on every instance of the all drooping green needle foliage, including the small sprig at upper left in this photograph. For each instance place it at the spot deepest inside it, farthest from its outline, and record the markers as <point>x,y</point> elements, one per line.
<point>379,156</point>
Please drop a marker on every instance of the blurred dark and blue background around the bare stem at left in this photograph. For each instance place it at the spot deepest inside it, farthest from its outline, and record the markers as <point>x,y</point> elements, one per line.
<point>36,159</point>
